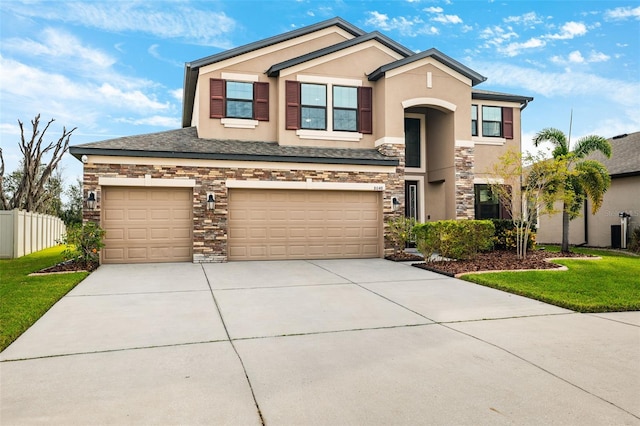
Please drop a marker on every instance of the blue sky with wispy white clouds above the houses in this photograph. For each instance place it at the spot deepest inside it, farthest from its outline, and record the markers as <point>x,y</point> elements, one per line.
<point>115,68</point>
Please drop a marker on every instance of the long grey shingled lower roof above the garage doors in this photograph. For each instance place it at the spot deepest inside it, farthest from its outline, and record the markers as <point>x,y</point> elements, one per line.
<point>185,143</point>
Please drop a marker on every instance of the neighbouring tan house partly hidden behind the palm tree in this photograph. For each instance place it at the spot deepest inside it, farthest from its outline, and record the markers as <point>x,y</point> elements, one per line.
<point>622,196</point>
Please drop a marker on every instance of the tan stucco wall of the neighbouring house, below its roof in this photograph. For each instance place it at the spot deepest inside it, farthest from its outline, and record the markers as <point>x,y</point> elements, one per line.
<point>623,195</point>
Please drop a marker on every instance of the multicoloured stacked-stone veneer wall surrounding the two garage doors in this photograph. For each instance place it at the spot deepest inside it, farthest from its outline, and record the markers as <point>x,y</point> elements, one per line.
<point>210,227</point>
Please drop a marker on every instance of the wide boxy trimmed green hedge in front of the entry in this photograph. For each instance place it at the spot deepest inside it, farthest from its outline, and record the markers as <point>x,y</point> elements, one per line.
<point>455,239</point>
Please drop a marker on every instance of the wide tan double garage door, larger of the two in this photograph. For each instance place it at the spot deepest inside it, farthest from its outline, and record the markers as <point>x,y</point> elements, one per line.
<point>303,224</point>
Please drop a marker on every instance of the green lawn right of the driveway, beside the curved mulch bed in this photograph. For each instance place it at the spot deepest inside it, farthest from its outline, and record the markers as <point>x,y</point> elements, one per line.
<point>611,284</point>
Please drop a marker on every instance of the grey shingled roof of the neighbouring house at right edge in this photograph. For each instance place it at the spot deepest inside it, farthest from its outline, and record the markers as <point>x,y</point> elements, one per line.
<point>625,156</point>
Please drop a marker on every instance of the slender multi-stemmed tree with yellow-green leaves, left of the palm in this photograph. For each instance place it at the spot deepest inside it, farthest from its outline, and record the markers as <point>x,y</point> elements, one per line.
<point>537,179</point>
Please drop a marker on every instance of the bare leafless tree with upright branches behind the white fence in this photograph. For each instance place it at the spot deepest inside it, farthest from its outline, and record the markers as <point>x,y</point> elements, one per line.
<point>34,186</point>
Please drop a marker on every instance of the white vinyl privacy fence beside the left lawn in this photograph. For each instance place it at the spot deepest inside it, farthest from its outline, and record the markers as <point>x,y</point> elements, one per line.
<point>23,232</point>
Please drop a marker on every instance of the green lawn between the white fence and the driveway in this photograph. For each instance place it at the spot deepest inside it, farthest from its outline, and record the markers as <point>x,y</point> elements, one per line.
<point>24,299</point>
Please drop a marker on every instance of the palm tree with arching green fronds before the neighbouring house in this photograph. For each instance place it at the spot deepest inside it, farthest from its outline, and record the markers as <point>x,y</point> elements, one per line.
<point>587,178</point>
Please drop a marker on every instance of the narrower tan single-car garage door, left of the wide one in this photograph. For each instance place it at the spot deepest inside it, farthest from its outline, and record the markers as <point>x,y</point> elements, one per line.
<point>147,224</point>
